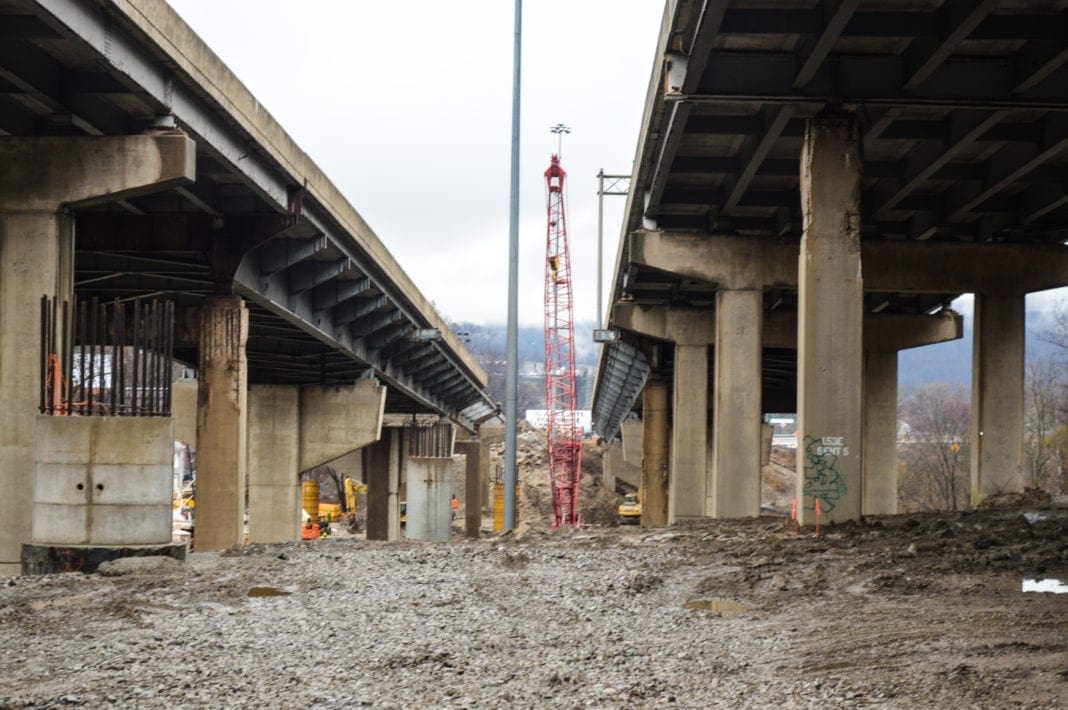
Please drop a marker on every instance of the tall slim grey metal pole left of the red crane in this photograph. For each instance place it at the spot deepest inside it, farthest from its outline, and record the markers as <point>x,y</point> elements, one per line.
<point>512,355</point>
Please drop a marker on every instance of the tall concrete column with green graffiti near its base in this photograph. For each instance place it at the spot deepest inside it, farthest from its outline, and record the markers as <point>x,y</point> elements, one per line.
<point>830,320</point>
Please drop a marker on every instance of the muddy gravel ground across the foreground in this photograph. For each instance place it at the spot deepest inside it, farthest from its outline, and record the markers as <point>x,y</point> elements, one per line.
<point>902,612</point>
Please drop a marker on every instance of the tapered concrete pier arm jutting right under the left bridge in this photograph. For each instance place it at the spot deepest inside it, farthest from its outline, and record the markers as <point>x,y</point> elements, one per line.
<point>338,420</point>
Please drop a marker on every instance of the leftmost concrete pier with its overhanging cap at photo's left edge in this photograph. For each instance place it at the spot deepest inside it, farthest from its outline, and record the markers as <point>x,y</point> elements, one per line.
<point>42,178</point>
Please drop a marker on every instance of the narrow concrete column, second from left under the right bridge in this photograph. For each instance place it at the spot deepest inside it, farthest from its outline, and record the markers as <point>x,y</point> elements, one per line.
<point>688,487</point>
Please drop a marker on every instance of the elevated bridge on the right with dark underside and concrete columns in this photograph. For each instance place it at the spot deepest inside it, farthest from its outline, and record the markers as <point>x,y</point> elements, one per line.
<point>814,184</point>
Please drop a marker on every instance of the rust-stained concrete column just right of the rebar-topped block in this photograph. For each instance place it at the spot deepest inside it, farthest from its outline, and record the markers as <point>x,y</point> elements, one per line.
<point>222,424</point>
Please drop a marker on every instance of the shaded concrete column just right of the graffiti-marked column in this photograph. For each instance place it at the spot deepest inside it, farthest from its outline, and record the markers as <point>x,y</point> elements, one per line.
<point>881,435</point>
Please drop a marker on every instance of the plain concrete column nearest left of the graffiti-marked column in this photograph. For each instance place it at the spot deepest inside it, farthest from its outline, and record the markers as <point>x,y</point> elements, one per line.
<point>737,387</point>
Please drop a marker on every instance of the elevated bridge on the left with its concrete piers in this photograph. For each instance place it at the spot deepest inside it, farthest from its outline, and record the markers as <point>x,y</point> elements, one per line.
<point>134,164</point>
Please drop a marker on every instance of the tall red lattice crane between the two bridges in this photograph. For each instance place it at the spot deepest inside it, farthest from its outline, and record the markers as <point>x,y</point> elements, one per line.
<point>564,435</point>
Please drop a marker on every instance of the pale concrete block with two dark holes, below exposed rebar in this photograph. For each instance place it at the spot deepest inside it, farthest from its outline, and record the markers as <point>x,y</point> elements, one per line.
<point>103,481</point>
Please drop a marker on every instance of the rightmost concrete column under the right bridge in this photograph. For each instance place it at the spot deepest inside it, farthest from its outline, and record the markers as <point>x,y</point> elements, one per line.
<point>998,360</point>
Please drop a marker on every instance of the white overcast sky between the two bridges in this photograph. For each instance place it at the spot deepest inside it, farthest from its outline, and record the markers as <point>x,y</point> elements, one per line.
<point>407,107</point>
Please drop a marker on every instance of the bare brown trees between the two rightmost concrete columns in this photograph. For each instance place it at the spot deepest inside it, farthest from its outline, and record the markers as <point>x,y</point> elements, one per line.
<point>935,451</point>
